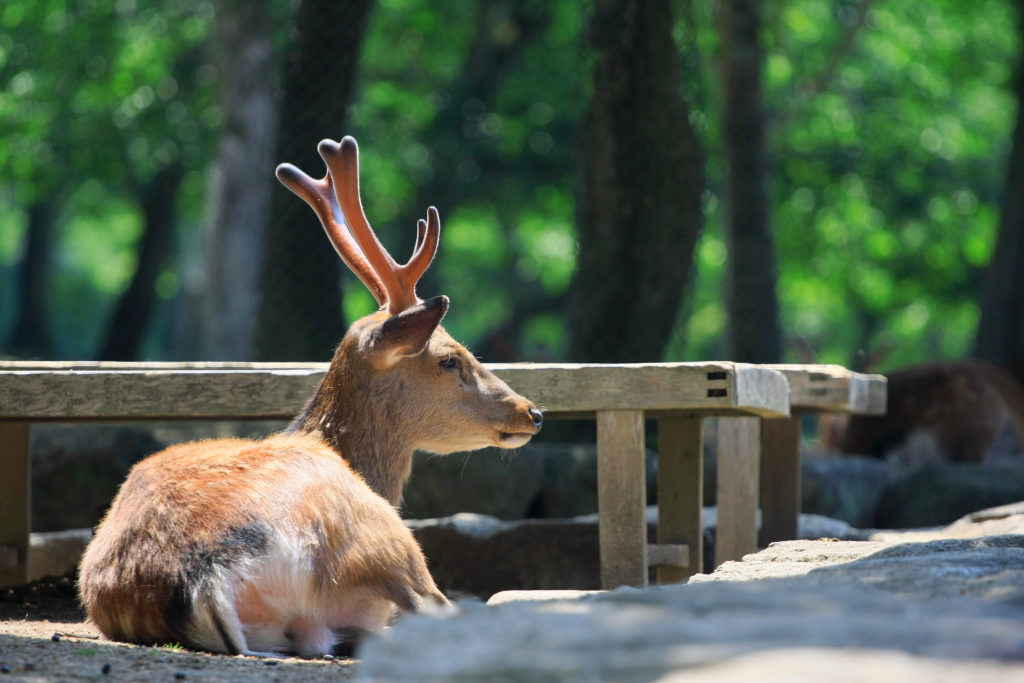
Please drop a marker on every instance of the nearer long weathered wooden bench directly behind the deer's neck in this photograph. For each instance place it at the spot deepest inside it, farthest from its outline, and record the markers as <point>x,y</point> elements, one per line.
<point>620,397</point>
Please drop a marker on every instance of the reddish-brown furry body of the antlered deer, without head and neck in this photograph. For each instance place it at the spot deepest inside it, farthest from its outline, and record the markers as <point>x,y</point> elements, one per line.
<point>277,532</point>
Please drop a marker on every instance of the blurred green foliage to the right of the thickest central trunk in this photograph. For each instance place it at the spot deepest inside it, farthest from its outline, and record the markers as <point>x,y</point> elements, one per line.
<point>888,153</point>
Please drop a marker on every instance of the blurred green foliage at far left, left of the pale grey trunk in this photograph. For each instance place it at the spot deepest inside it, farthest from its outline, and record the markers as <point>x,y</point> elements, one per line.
<point>96,98</point>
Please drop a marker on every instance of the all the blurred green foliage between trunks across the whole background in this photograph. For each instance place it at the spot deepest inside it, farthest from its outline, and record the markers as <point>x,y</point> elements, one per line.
<point>887,139</point>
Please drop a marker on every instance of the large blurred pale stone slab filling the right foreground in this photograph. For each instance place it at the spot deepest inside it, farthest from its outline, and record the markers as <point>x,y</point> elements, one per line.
<point>948,611</point>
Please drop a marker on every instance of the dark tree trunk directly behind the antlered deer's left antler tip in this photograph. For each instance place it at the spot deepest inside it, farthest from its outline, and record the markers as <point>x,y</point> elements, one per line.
<point>301,315</point>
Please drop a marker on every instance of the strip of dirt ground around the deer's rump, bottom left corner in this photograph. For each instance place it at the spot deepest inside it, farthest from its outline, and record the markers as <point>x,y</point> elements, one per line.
<point>45,637</point>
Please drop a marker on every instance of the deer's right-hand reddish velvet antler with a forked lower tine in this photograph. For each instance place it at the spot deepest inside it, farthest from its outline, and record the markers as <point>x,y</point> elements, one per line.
<point>400,281</point>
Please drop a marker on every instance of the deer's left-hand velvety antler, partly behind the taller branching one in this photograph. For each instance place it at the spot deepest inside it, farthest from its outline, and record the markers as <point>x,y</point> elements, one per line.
<point>321,198</point>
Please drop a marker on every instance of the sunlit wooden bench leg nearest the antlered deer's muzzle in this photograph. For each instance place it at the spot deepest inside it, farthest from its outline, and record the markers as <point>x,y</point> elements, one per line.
<point>622,498</point>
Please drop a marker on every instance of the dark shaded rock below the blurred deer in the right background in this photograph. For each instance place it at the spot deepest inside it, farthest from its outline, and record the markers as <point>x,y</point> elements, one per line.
<point>941,493</point>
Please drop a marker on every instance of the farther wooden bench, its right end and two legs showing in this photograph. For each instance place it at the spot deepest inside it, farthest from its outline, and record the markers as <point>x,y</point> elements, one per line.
<point>759,460</point>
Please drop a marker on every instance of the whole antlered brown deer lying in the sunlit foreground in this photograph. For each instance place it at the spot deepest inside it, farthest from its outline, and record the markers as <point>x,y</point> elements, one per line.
<point>291,544</point>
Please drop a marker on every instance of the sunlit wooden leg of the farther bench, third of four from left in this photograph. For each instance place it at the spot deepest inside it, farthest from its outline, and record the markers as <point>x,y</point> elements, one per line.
<point>739,467</point>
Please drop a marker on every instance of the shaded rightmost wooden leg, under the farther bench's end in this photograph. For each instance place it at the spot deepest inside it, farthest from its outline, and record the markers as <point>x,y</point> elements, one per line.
<point>780,481</point>
